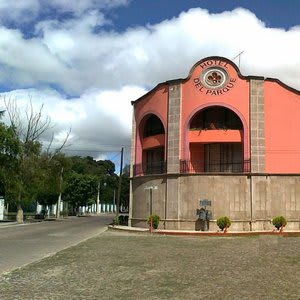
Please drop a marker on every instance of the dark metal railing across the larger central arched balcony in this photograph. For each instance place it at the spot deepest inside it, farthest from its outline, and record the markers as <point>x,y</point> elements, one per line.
<point>200,166</point>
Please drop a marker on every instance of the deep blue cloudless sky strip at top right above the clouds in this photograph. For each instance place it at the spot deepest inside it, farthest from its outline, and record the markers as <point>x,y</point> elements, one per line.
<point>275,13</point>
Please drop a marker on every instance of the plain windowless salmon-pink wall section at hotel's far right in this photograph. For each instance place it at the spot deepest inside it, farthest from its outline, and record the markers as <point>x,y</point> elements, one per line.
<point>282,129</point>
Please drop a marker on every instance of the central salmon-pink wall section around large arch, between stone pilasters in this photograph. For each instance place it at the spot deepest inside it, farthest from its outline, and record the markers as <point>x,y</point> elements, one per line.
<point>195,98</point>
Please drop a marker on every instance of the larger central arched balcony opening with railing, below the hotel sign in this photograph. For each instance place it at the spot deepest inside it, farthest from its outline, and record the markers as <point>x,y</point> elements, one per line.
<point>216,142</point>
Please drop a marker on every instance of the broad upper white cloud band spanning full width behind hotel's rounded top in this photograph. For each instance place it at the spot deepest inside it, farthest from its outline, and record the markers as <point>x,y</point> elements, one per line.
<point>72,55</point>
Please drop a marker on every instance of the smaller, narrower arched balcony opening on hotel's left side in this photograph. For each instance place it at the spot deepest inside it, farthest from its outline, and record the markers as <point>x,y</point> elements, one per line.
<point>152,136</point>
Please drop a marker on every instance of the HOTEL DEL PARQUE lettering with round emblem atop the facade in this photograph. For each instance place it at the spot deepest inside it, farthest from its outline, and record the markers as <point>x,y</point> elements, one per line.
<point>214,79</point>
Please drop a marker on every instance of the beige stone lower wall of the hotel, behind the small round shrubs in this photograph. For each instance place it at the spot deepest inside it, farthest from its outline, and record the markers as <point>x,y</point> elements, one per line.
<point>249,201</point>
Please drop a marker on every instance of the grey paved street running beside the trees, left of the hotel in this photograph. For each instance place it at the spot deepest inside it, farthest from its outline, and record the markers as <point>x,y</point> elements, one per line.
<point>23,244</point>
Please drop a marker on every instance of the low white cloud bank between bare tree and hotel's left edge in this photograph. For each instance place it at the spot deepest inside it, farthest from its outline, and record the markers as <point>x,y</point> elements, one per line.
<point>100,120</point>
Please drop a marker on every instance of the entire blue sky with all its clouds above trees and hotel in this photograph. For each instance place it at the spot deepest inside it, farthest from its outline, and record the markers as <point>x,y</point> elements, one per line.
<point>86,60</point>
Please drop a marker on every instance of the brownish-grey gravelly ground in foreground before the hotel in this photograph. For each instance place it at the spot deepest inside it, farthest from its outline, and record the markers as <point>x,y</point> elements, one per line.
<point>119,265</point>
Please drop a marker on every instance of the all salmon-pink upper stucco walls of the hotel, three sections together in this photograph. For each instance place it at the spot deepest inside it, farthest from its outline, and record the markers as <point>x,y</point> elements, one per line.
<point>282,110</point>
